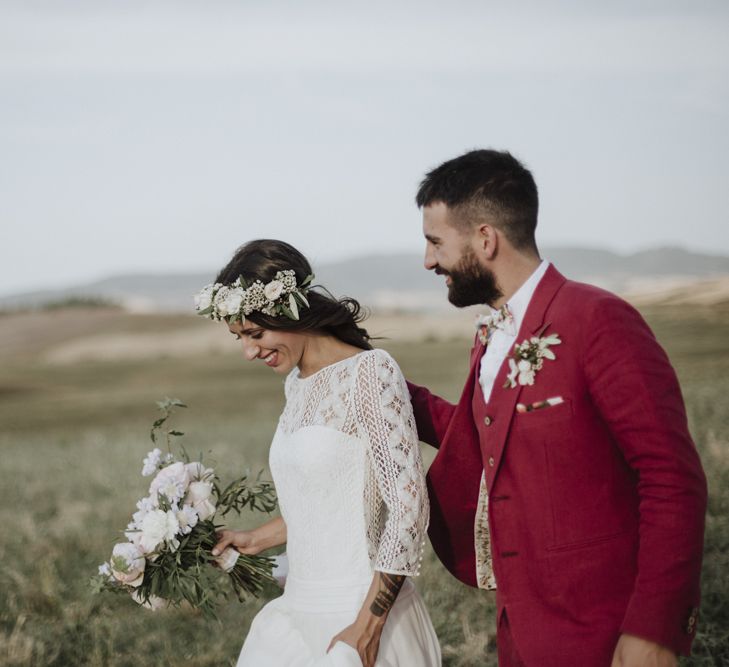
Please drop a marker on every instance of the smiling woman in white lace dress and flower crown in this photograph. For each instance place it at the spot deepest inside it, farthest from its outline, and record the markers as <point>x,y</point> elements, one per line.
<point>346,463</point>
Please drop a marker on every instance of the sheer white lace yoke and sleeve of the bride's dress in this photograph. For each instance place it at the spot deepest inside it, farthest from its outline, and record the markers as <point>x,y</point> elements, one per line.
<point>366,397</point>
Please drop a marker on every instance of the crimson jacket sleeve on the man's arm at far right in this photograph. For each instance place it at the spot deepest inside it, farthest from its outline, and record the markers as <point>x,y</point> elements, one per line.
<point>637,393</point>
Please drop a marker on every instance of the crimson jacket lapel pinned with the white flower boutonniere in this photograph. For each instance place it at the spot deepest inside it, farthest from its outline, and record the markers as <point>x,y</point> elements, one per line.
<point>503,401</point>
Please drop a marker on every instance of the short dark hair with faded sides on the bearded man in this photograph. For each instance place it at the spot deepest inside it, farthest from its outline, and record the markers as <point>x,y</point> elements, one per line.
<point>486,185</point>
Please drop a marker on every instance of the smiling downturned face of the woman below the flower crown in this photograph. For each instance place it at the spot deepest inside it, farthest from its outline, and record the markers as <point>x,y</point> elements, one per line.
<point>279,350</point>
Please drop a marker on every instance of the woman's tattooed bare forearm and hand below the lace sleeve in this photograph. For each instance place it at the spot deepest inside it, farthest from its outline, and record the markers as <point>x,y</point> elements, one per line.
<point>364,634</point>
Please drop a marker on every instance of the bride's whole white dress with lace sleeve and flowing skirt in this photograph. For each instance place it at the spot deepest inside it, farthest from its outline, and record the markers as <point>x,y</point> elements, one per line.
<point>346,464</point>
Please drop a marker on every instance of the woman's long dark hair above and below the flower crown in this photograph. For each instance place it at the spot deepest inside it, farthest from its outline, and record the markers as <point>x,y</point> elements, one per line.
<point>261,259</point>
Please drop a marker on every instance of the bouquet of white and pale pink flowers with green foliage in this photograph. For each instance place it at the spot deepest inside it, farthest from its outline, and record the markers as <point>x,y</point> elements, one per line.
<point>166,558</point>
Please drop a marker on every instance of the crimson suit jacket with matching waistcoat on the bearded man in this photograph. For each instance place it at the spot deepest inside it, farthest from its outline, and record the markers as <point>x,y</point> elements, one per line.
<point>596,505</point>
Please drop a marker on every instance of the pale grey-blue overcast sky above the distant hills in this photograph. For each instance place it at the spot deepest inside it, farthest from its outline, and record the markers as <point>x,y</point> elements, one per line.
<point>158,136</point>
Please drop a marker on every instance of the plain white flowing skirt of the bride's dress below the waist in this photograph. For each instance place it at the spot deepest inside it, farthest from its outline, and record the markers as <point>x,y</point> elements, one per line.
<point>296,629</point>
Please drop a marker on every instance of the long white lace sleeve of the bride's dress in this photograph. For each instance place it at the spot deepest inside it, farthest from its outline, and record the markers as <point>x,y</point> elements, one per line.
<point>385,420</point>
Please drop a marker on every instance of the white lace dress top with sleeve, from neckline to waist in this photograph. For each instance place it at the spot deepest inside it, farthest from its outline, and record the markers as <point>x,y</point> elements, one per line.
<point>346,449</point>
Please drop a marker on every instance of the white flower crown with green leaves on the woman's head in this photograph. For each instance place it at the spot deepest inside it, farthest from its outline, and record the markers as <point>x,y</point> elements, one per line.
<point>281,296</point>
